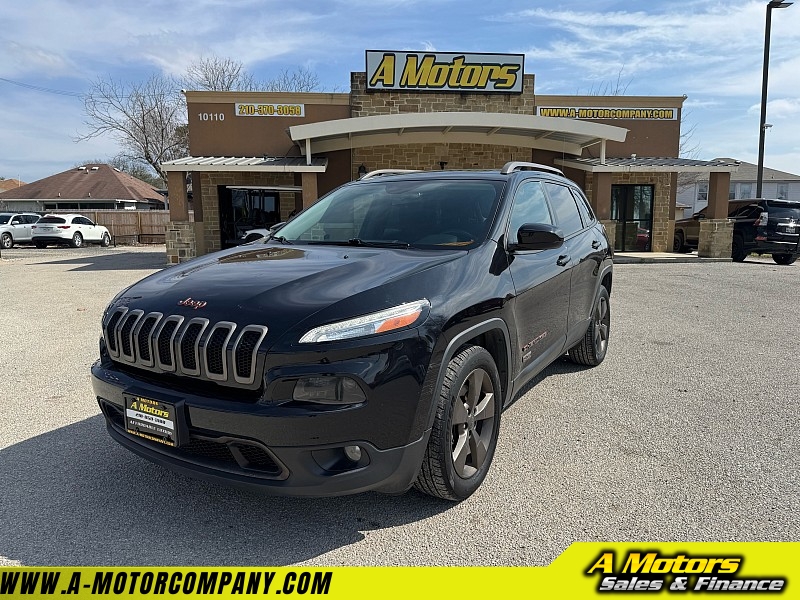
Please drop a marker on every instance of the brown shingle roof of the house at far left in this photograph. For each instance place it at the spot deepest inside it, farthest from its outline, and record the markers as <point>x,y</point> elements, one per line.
<point>91,182</point>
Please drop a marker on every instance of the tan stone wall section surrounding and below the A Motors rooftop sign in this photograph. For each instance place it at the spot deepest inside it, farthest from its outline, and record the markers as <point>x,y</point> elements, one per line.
<point>363,104</point>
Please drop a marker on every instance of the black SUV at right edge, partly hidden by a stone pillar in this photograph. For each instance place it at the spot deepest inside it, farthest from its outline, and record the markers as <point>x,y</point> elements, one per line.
<point>760,226</point>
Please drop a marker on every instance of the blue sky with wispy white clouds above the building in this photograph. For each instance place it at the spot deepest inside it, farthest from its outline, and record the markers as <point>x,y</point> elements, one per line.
<point>710,51</point>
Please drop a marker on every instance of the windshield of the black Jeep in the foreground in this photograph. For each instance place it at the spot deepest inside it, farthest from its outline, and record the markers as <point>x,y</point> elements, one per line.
<point>430,214</point>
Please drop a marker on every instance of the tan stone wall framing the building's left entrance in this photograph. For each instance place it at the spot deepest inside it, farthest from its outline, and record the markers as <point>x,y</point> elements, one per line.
<point>209,196</point>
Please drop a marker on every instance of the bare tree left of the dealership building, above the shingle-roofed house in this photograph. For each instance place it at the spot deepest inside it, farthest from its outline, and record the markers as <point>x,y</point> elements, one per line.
<point>143,117</point>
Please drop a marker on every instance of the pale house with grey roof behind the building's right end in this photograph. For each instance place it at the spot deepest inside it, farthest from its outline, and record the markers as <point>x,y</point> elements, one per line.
<point>776,184</point>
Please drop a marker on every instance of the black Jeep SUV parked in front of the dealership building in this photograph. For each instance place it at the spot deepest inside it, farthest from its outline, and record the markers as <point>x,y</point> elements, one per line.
<point>371,344</point>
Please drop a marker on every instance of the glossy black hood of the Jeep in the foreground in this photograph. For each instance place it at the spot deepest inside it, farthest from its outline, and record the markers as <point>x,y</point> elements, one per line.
<point>276,285</point>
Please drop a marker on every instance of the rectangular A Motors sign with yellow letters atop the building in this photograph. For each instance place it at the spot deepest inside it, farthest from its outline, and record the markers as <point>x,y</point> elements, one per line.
<point>444,72</point>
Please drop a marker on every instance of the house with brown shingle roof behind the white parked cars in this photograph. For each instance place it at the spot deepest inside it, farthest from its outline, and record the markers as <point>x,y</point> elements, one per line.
<point>88,187</point>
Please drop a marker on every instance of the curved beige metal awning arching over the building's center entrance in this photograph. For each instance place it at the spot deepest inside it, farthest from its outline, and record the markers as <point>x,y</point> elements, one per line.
<point>568,136</point>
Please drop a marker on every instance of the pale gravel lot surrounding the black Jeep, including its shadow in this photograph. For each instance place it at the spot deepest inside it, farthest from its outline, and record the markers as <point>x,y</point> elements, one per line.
<point>688,431</point>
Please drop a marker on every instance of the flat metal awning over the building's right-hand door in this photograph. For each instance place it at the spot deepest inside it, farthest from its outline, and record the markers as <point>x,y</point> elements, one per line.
<point>647,164</point>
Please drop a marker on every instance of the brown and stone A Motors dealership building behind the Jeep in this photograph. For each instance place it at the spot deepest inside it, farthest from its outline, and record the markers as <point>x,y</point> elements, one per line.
<point>256,158</point>
